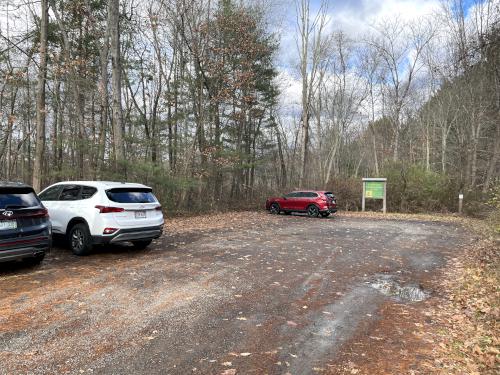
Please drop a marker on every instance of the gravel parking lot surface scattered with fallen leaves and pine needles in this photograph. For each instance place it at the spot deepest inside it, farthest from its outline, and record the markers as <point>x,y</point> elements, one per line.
<point>247,293</point>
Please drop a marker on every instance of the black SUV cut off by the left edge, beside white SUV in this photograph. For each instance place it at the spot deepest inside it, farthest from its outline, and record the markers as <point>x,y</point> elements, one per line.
<point>25,229</point>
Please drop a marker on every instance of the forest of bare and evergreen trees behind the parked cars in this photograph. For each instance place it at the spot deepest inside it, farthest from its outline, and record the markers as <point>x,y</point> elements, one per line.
<point>191,97</point>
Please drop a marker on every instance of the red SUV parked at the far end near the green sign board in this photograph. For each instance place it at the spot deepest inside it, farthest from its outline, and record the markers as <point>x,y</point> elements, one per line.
<point>314,203</point>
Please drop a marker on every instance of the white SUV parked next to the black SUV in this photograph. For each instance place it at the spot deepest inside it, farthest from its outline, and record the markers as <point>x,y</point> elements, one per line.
<point>101,212</point>
